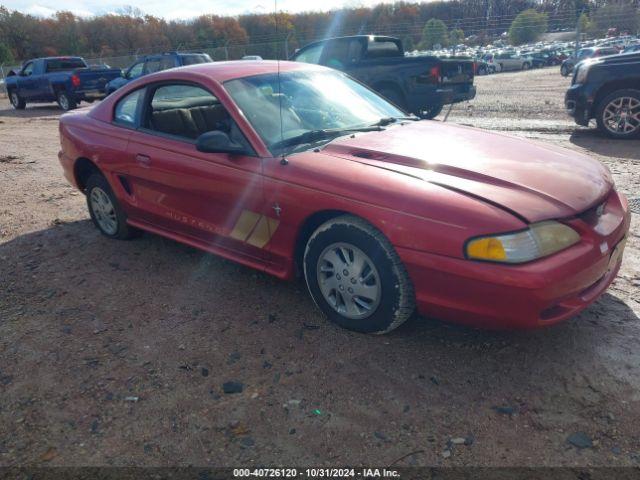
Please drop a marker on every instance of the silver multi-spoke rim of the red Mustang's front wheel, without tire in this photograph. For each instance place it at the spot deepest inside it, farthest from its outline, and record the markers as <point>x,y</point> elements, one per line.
<point>349,281</point>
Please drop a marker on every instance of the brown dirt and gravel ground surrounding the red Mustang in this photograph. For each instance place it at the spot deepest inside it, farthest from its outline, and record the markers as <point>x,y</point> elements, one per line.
<point>114,353</point>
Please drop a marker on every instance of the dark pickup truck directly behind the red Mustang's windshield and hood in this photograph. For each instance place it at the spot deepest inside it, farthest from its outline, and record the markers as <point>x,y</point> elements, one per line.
<point>419,84</point>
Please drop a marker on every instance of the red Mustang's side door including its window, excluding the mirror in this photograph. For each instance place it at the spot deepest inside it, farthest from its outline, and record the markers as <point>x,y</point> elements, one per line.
<point>212,198</point>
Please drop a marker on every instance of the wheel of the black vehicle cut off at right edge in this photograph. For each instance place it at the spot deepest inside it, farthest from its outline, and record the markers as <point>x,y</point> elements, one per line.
<point>618,114</point>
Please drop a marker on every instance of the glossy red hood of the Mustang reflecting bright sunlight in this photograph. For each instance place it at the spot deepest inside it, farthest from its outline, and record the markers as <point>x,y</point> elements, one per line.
<point>534,181</point>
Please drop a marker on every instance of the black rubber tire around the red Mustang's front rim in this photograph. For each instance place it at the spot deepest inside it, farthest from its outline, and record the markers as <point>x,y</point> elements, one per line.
<point>396,300</point>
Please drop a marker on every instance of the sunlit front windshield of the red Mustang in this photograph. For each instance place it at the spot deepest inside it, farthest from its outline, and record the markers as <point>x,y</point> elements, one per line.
<point>310,100</point>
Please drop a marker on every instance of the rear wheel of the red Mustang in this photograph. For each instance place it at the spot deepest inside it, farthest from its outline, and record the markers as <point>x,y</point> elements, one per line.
<point>105,211</point>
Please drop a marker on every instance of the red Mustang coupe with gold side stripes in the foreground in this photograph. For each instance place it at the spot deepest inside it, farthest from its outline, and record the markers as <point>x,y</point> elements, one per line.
<point>308,171</point>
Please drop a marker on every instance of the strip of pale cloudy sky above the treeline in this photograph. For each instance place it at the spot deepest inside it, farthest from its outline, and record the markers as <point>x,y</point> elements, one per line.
<point>178,9</point>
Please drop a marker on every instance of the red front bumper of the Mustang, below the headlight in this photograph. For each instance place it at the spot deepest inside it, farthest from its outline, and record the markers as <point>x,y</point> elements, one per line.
<point>531,295</point>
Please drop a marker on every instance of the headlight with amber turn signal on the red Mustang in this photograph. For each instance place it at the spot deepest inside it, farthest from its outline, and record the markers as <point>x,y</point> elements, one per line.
<point>539,240</point>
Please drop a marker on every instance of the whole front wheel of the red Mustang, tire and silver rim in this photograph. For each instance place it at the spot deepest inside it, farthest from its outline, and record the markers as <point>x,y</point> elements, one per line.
<point>356,278</point>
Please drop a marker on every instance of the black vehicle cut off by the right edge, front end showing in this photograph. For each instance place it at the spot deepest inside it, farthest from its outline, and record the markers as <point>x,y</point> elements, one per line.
<point>607,89</point>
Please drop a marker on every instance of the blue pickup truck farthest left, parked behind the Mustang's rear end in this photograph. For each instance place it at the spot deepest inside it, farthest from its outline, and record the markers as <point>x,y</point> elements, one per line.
<point>66,80</point>
